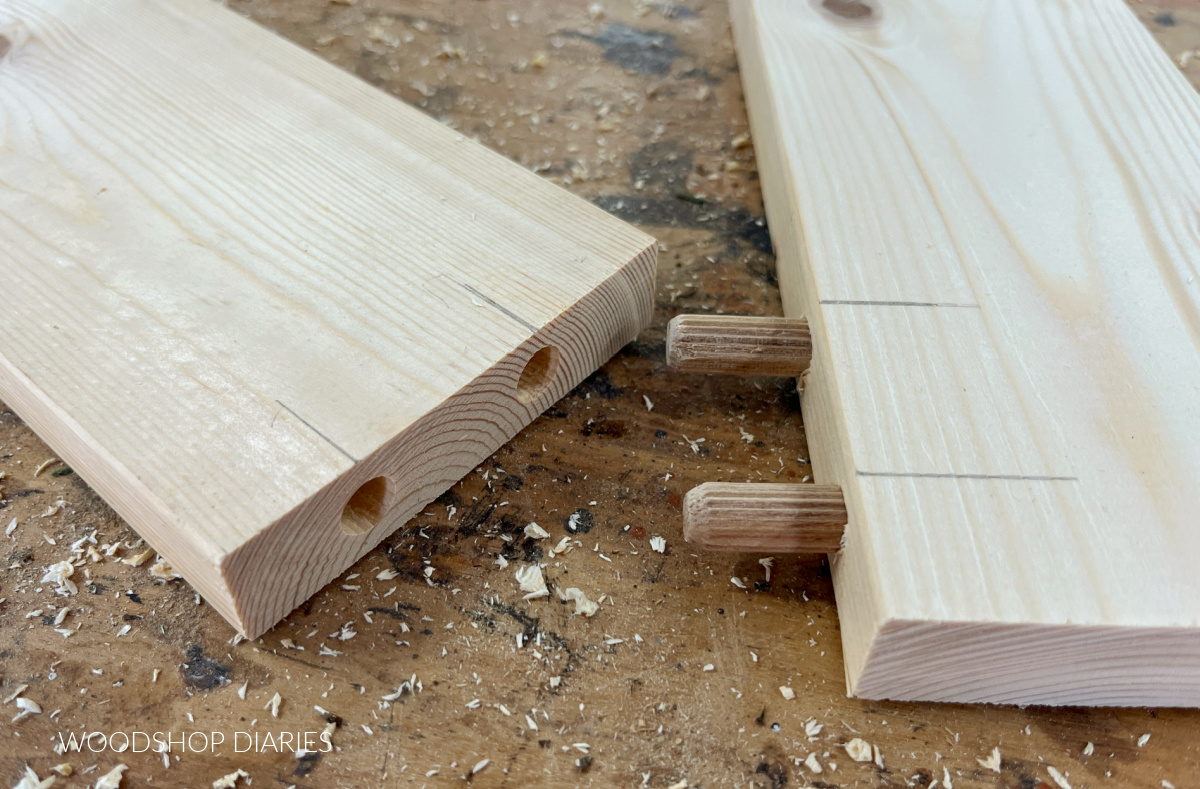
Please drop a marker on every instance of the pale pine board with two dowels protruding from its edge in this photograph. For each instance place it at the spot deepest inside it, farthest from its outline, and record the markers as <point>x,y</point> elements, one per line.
<point>988,214</point>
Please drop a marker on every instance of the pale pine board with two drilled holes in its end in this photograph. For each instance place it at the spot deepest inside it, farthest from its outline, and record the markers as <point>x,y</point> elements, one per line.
<point>266,310</point>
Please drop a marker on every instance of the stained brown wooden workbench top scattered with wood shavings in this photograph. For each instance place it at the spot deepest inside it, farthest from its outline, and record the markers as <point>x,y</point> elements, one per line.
<point>637,106</point>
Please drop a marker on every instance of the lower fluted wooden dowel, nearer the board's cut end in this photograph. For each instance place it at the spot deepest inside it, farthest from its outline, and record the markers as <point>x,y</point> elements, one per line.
<point>764,517</point>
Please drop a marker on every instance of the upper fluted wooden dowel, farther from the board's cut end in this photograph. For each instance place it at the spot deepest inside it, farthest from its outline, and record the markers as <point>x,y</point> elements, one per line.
<point>739,345</point>
